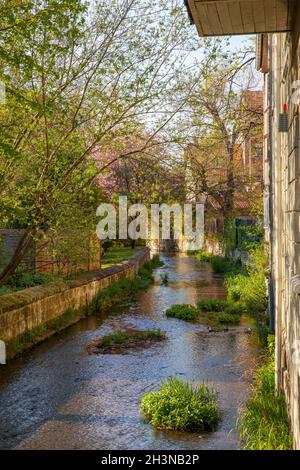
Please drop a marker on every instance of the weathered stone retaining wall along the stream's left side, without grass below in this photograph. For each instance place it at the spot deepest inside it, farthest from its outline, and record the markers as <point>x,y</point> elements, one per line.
<point>24,310</point>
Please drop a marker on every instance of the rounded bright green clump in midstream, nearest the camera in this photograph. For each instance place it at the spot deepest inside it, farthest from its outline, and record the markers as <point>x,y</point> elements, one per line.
<point>180,406</point>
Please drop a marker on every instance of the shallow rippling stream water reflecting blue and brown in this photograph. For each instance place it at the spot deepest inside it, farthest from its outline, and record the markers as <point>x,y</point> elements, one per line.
<point>60,397</point>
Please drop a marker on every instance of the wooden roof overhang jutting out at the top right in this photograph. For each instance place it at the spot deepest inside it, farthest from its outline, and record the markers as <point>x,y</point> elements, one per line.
<point>229,17</point>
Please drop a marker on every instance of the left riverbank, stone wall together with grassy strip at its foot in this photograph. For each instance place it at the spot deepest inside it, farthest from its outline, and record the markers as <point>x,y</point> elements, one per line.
<point>32,315</point>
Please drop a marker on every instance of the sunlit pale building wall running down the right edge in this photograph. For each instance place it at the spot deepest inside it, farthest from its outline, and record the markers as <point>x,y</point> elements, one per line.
<point>282,201</point>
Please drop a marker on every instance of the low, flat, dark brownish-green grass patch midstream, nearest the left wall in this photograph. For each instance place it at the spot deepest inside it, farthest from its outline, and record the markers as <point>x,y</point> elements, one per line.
<point>129,338</point>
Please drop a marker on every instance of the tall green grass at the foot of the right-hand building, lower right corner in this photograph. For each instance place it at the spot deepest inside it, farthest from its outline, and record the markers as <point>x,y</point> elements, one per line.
<point>263,424</point>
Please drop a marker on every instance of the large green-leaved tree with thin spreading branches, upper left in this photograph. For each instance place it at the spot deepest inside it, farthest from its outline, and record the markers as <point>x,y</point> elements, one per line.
<point>79,78</point>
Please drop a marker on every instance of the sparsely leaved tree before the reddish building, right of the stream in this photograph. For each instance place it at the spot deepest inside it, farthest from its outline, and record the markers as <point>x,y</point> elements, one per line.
<point>222,121</point>
